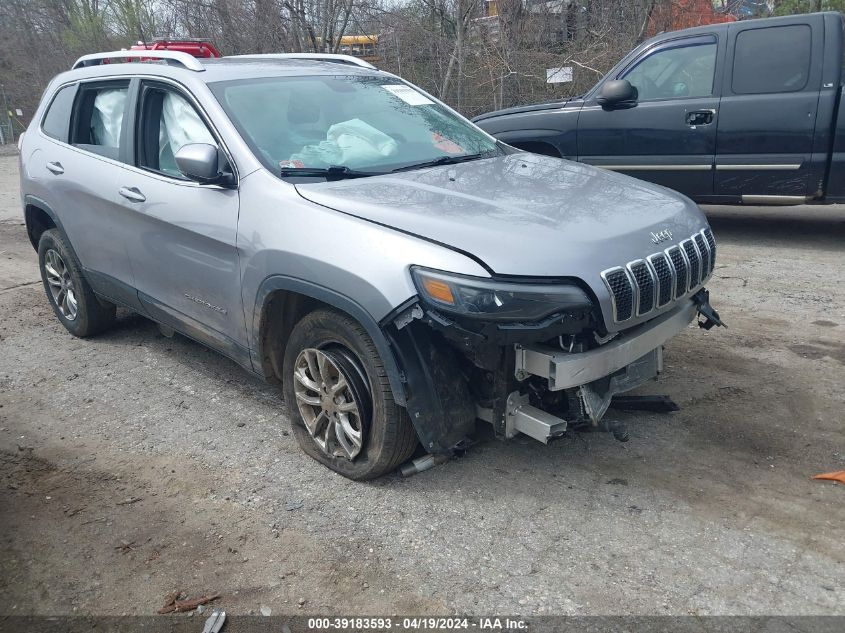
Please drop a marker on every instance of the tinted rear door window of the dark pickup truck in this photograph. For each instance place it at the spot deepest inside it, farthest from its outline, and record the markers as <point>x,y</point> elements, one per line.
<point>771,60</point>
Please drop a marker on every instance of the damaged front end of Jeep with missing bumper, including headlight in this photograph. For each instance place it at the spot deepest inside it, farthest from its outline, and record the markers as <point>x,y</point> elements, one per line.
<point>531,358</point>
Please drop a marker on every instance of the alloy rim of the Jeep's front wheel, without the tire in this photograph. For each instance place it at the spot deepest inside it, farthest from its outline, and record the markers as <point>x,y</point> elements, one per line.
<point>332,399</point>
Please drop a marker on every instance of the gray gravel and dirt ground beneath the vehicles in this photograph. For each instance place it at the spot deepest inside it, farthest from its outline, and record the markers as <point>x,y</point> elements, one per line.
<point>132,465</point>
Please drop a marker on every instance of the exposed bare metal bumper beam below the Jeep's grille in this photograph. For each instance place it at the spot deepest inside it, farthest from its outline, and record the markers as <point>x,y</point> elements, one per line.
<point>565,371</point>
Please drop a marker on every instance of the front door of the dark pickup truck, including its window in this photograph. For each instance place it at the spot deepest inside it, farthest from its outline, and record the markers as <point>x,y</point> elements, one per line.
<point>668,136</point>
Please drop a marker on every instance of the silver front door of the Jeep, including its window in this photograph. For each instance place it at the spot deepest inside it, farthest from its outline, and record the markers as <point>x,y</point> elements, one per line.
<point>183,247</point>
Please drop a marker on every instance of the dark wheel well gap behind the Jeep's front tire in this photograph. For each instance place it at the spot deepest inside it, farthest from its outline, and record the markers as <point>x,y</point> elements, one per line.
<point>281,311</point>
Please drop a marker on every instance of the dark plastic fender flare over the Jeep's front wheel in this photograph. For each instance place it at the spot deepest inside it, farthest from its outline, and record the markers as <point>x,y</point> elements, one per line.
<point>340,302</point>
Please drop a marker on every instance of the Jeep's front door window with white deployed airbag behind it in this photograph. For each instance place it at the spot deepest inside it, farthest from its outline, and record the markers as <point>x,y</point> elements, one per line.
<point>168,121</point>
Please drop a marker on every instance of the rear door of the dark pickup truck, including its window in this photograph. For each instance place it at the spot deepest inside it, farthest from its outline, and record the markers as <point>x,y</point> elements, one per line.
<point>767,117</point>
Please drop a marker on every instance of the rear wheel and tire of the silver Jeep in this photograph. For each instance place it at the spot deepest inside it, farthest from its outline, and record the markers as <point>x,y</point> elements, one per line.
<point>70,295</point>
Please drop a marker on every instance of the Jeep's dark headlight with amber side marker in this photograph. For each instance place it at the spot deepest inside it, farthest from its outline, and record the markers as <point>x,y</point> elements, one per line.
<point>496,300</point>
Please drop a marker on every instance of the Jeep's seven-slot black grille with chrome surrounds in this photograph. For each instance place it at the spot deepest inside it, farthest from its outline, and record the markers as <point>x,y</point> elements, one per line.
<point>644,285</point>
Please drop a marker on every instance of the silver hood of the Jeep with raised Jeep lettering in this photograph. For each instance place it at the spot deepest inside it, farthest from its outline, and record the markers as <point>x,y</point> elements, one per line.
<point>522,214</point>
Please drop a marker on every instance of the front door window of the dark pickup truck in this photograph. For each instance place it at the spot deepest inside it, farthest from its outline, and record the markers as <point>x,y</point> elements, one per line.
<point>683,71</point>
